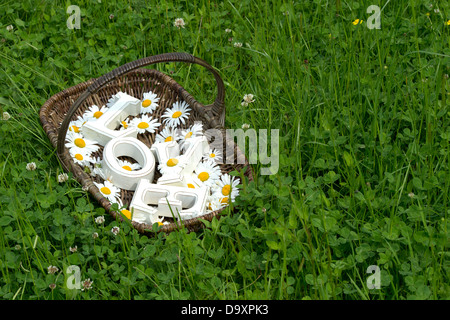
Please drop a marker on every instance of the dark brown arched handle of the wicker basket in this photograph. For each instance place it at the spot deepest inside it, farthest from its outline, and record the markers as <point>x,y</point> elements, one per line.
<point>208,111</point>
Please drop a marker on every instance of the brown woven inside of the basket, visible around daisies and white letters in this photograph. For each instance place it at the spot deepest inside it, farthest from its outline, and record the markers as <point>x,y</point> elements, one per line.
<point>136,83</point>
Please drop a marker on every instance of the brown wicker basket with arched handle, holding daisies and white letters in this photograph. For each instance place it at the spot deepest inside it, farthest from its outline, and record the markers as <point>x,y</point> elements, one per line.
<point>131,78</point>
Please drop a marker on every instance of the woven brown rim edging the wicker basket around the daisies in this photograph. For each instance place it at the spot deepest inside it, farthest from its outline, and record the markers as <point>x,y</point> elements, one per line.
<point>87,182</point>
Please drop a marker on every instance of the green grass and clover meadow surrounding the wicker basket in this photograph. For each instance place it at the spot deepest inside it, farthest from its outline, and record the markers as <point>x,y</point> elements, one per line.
<point>364,151</point>
